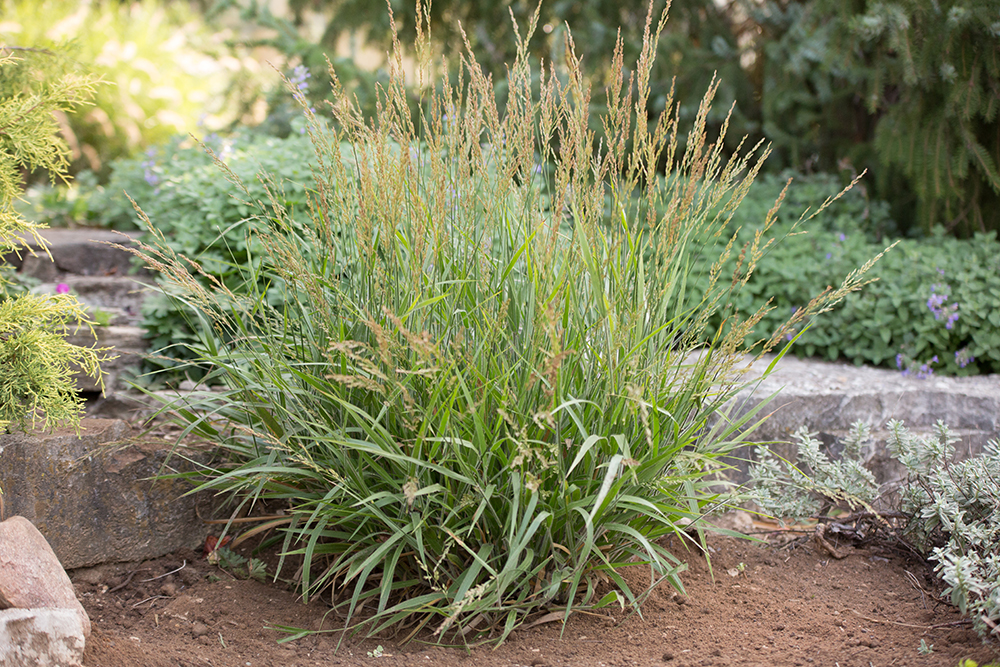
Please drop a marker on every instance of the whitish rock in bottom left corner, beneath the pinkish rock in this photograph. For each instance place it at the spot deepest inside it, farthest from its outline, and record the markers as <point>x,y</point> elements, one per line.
<point>41,638</point>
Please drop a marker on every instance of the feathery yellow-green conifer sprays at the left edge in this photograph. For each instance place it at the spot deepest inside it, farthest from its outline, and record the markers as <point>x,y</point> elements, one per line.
<point>38,364</point>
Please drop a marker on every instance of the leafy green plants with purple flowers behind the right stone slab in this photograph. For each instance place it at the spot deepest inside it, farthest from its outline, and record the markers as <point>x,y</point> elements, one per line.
<point>935,305</point>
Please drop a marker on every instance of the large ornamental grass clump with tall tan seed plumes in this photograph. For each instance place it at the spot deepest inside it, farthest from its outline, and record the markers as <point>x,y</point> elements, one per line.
<point>483,391</point>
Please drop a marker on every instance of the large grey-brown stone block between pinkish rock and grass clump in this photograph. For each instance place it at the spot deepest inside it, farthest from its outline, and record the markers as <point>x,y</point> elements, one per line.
<point>91,495</point>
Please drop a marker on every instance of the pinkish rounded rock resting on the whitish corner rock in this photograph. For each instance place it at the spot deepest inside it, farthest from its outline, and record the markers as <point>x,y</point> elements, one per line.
<point>31,575</point>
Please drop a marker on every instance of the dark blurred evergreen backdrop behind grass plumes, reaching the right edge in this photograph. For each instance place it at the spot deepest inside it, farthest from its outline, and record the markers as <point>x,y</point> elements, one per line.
<point>907,89</point>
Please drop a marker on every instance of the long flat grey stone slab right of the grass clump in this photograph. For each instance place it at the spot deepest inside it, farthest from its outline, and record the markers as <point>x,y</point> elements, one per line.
<point>827,397</point>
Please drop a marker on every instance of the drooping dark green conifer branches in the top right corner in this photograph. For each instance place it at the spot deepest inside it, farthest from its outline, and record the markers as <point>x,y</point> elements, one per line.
<point>931,72</point>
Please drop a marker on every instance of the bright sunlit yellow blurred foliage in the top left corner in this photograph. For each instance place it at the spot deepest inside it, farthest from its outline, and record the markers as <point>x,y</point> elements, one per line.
<point>167,72</point>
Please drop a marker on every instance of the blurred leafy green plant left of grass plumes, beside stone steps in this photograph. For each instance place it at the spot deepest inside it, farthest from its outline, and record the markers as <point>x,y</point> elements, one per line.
<point>204,215</point>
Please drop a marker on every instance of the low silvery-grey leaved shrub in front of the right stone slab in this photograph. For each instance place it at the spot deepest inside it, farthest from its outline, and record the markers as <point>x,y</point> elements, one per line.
<point>946,510</point>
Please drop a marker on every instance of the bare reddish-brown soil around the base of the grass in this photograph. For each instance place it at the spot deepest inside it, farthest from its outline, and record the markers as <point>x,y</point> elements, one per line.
<point>788,605</point>
